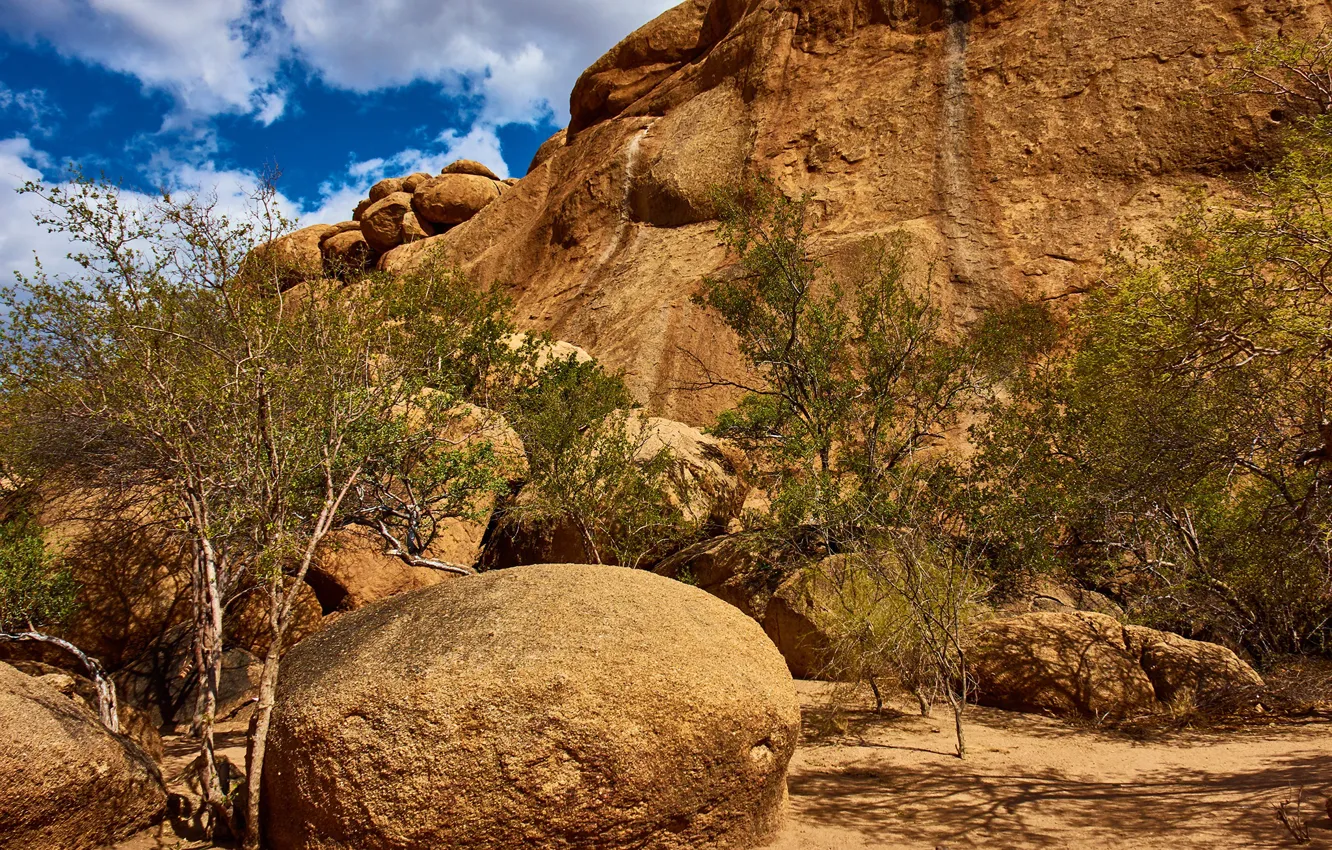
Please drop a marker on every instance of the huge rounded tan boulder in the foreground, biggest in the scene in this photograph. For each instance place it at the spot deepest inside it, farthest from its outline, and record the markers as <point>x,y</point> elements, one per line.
<point>559,707</point>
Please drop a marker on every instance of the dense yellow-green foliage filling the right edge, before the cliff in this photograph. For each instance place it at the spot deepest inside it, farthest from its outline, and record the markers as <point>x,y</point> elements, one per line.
<point>1181,443</point>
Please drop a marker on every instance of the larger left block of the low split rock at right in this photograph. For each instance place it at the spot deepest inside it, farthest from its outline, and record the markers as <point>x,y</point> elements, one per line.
<point>1061,664</point>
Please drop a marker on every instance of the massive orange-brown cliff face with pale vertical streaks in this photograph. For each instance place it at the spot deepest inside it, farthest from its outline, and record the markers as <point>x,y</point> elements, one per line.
<point>1014,146</point>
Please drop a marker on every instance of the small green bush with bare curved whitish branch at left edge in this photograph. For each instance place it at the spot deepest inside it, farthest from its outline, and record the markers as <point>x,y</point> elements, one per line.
<point>37,595</point>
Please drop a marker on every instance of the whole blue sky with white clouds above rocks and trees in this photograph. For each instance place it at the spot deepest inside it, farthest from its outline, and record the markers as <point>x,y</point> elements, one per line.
<point>338,94</point>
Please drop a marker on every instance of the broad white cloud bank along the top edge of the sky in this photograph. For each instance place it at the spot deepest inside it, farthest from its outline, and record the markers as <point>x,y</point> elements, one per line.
<point>223,57</point>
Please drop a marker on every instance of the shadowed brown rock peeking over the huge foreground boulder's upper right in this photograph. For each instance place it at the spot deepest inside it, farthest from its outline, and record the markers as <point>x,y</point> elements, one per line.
<point>739,570</point>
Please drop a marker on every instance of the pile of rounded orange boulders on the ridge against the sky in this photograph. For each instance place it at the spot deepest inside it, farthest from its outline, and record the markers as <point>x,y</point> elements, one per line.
<point>398,212</point>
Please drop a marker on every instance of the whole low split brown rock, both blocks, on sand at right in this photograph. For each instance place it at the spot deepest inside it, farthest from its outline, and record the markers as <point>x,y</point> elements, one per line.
<point>1092,665</point>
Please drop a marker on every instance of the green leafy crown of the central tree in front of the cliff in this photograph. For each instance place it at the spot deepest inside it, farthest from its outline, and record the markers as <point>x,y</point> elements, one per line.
<point>861,384</point>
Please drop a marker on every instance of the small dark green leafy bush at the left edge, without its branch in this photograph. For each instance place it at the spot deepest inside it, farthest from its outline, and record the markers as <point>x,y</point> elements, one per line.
<point>37,591</point>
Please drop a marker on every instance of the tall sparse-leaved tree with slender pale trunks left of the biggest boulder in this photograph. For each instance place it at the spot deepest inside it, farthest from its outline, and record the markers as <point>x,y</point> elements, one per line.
<point>262,418</point>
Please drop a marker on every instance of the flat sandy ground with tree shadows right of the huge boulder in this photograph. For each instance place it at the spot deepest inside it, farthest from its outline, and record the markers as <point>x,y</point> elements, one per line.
<point>894,783</point>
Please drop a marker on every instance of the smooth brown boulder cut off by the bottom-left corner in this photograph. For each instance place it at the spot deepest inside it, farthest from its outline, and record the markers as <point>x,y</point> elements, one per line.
<point>66,783</point>
